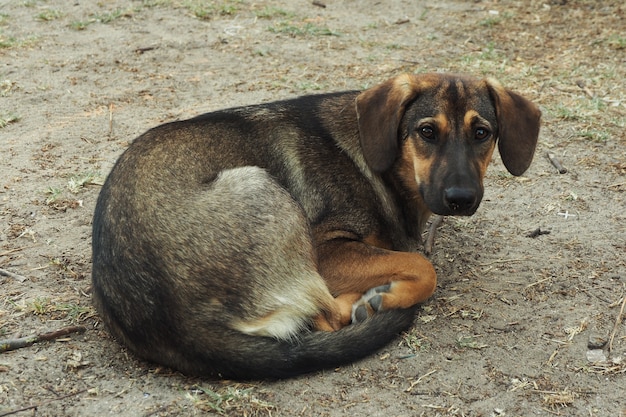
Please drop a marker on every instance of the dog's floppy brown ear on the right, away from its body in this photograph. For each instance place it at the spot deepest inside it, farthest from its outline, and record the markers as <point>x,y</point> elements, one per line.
<point>518,128</point>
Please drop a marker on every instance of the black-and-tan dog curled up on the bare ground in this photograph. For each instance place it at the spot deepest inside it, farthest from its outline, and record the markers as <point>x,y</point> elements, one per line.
<point>277,239</point>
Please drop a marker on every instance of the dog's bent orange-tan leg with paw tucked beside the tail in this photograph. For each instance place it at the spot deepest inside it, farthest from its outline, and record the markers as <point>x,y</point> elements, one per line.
<point>366,279</point>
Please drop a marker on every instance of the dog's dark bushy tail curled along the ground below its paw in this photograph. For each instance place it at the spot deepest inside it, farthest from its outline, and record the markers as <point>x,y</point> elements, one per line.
<point>266,358</point>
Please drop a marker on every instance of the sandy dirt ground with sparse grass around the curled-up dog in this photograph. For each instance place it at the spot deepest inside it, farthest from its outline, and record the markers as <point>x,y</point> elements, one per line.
<point>519,325</point>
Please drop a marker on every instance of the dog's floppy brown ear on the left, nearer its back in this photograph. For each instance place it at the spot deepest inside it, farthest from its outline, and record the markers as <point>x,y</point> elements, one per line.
<point>379,112</point>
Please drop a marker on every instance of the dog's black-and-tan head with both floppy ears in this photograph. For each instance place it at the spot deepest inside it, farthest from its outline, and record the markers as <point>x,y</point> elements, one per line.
<point>438,133</point>
